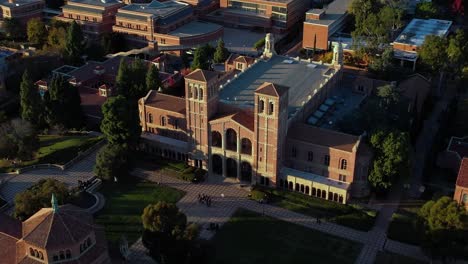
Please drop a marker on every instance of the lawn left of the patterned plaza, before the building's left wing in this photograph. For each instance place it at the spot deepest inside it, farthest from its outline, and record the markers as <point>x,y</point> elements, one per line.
<point>125,202</point>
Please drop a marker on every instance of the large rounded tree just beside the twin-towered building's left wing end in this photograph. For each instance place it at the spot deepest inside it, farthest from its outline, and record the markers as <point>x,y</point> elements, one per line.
<point>120,123</point>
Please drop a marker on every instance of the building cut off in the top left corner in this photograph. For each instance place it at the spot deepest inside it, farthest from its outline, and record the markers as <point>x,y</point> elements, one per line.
<point>21,10</point>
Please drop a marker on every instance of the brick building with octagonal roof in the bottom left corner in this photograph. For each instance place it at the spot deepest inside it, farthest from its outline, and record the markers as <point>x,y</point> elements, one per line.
<point>64,234</point>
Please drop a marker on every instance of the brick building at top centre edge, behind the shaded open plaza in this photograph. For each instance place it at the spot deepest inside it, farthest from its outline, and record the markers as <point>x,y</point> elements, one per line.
<point>277,16</point>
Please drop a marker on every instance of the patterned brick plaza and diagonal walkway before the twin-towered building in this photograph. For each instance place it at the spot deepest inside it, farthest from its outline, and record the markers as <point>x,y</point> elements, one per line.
<point>228,197</point>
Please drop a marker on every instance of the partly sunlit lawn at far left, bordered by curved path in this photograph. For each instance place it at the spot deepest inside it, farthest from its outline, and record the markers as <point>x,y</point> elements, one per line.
<point>55,149</point>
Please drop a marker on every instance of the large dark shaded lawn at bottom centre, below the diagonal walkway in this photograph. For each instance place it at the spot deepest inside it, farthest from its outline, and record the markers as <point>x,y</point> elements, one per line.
<point>249,238</point>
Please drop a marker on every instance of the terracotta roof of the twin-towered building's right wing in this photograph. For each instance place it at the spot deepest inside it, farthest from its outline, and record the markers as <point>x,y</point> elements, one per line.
<point>322,137</point>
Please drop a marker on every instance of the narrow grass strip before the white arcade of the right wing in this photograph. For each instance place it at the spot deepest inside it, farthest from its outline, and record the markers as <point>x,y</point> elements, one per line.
<point>353,217</point>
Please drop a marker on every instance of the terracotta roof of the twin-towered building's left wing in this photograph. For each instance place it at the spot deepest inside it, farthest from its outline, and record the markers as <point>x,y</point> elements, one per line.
<point>165,102</point>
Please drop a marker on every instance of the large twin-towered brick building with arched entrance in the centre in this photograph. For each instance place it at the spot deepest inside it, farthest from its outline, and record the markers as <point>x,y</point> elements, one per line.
<point>248,124</point>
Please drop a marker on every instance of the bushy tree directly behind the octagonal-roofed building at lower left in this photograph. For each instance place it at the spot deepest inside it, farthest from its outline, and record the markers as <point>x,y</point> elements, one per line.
<point>38,196</point>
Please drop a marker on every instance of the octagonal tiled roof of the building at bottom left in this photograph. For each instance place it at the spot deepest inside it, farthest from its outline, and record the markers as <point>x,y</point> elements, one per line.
<point>52,230</point>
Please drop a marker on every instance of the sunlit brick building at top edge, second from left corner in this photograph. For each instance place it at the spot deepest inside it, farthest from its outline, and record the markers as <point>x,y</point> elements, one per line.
<point>94,17</point>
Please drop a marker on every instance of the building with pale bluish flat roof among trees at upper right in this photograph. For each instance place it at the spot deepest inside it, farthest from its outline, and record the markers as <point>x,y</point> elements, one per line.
<point>406,45</point>
